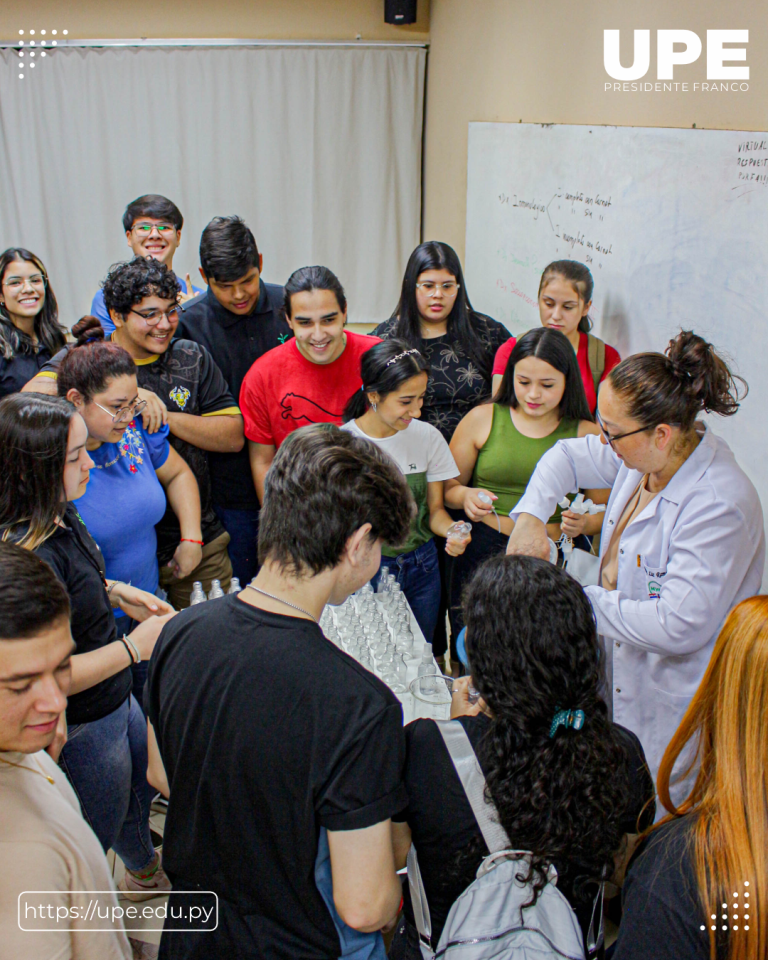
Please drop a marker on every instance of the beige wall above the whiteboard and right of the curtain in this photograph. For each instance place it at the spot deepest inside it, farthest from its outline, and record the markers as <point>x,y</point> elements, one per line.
<point>511,60</point>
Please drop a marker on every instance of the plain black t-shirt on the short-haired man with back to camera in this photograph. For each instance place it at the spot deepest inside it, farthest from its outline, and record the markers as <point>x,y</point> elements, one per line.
<point>268,732</point>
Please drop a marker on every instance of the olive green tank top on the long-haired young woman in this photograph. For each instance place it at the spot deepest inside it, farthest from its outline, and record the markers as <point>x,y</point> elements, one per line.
<point>507,460</point>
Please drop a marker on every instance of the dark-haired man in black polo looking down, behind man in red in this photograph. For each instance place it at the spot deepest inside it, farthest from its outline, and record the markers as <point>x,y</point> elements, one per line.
<point>237,320</point>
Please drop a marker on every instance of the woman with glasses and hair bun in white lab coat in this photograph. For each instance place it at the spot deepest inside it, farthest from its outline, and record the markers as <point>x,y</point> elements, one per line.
<point>683,539</point>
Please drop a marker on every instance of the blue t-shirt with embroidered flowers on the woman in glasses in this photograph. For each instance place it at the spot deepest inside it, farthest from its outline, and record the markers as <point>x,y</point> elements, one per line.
<point>124,500</point>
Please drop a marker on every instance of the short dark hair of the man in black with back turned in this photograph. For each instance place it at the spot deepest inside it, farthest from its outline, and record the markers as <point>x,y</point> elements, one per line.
<point>322,486</point>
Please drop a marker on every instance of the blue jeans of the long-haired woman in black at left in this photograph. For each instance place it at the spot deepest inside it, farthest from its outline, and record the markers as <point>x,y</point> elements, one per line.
<point>106,763</point>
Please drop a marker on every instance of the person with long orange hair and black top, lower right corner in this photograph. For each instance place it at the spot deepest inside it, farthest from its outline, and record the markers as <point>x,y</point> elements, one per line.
<point>697,889</point>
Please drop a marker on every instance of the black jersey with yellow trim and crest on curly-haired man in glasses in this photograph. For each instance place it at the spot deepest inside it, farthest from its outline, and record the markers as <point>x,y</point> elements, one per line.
<point>187,380</point>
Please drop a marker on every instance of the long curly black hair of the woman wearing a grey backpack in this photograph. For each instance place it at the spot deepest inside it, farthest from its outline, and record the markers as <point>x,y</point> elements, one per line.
<point>533,650</point>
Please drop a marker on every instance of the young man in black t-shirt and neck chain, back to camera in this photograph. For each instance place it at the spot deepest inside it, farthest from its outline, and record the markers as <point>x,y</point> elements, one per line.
<point>276,748</point>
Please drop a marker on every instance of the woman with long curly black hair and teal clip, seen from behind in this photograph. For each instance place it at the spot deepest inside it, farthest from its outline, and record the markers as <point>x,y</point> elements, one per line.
<point>568,795</point>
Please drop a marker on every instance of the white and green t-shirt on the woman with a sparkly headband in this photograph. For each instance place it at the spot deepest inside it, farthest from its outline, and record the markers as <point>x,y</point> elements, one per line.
<point>423,456</point>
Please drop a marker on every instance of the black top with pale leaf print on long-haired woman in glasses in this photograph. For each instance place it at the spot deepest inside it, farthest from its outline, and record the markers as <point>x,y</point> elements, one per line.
<point>455,385</point>
